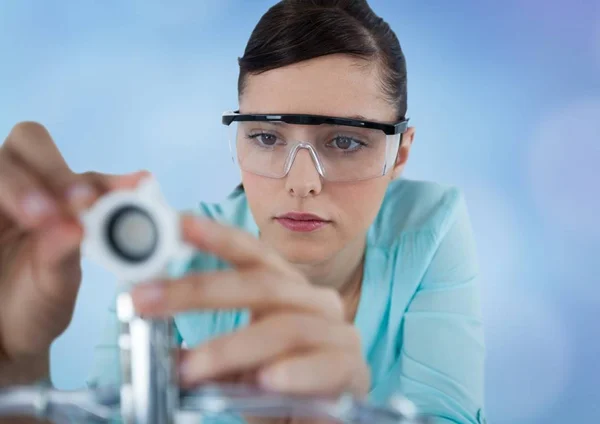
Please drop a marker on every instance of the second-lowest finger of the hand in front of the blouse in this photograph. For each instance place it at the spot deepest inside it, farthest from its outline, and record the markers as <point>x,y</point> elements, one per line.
<point>264,342</point>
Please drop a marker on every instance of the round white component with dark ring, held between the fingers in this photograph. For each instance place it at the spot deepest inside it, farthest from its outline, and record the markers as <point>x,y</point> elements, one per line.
<point>134,233</point>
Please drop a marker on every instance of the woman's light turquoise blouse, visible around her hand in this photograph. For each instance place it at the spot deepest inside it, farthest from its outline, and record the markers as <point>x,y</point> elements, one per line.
<point>419,313</point>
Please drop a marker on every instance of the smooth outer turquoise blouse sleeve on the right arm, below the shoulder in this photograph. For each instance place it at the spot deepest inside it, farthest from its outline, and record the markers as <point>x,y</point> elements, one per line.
<point>440,365</point>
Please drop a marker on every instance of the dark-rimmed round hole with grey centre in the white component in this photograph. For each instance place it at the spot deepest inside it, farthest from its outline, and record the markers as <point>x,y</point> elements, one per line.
<point>132,233</point>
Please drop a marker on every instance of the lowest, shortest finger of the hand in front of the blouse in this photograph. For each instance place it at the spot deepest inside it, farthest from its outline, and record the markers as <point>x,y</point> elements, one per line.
<point>320,372</point>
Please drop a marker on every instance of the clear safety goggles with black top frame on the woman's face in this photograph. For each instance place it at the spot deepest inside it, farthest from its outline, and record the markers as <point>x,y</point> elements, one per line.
<point>342,149</point>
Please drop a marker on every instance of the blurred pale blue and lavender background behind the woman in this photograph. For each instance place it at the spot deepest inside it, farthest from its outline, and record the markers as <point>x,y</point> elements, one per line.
<point>506,100</point>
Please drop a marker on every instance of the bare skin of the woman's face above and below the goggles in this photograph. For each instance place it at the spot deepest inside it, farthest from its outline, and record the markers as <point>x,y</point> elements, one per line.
<point>335,85</point>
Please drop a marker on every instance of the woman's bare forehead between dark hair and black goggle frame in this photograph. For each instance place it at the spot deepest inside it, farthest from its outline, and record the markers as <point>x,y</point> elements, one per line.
<point>334,85</point>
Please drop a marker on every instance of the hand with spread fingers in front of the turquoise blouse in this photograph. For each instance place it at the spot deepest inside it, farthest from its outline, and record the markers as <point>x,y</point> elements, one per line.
<point>298,340</point>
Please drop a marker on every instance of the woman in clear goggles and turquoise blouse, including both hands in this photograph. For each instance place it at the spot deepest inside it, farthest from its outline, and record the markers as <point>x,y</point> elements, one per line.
<point>323,272</point>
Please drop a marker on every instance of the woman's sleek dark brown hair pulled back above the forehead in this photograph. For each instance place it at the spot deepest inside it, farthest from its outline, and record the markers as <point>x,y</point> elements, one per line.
<point>292,31</point>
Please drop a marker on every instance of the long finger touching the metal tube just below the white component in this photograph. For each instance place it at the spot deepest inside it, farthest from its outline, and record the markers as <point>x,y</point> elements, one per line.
<point>256,289</point>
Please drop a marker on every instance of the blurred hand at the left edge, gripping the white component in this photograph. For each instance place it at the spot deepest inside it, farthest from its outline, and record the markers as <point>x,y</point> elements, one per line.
<point>40,236</point>
